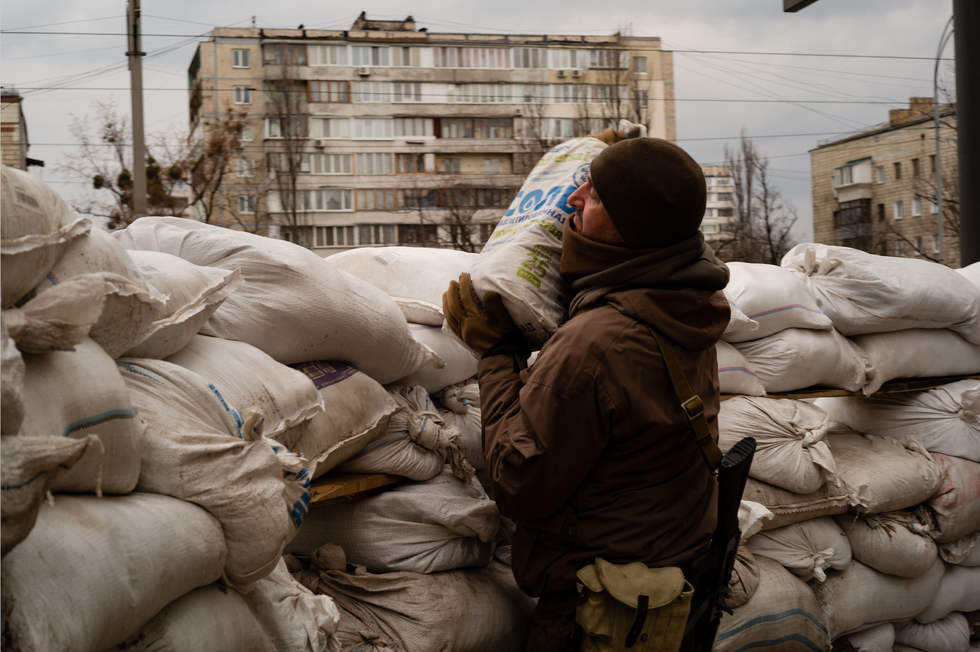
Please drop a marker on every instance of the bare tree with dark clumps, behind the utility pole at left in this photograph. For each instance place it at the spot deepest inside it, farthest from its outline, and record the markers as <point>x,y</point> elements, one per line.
<point>104,159</point>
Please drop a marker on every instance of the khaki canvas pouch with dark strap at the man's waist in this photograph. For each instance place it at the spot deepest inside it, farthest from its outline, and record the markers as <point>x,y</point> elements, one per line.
<point>632,607</point>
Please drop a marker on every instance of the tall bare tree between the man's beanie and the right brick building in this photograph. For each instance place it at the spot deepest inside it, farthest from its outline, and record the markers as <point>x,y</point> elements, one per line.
<point>760,228</point>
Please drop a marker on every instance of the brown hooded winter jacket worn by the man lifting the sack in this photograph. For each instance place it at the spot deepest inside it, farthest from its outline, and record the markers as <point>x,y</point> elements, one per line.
<point>589,450</point>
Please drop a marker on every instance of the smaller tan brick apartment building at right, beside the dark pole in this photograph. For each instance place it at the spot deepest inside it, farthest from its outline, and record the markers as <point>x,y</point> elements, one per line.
<point>876,190</point>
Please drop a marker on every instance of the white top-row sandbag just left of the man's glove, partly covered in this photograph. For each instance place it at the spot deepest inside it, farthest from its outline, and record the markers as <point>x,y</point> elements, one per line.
<point>414,277</point>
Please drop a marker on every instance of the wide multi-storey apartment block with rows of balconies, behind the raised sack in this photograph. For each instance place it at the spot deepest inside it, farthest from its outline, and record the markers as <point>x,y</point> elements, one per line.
<point>387,134</point>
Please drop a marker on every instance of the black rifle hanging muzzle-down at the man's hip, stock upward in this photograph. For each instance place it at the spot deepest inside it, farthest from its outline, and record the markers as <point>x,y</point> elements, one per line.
<point>710,572</point>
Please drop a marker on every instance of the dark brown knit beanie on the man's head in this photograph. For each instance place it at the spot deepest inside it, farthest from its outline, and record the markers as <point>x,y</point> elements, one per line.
<point>653,191</point>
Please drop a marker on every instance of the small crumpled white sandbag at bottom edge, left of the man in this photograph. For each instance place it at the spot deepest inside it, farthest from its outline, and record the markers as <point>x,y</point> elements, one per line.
<point>293,617</point>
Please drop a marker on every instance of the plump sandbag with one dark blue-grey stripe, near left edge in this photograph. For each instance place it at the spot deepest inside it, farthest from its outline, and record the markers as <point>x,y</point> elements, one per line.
<point>76,393</point>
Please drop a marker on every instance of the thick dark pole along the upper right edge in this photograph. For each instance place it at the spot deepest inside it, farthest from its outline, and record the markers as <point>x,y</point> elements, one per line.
<point>966,25</point>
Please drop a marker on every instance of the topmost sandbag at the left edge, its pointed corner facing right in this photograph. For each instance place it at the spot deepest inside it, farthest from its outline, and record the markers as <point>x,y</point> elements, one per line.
<point>37,227</point>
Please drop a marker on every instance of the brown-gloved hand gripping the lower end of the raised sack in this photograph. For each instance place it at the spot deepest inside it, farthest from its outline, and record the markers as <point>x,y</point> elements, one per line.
<point>480,324</point>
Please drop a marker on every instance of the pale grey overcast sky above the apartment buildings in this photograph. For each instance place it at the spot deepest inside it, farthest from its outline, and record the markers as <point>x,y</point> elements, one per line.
<point>833,68</point>
